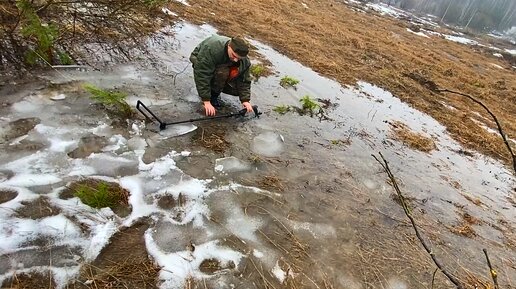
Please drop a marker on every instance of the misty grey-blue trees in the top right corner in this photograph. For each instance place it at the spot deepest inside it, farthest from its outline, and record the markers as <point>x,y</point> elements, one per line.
<point>478,15</point>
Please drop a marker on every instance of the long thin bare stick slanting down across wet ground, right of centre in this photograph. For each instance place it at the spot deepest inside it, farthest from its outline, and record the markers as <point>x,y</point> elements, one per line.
<point>406,209</point>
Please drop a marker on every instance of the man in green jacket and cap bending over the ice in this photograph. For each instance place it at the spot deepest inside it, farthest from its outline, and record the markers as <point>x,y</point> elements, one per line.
<point>220,65</point>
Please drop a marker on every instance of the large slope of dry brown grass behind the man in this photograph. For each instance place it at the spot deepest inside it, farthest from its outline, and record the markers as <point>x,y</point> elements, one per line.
<point>378,50</point>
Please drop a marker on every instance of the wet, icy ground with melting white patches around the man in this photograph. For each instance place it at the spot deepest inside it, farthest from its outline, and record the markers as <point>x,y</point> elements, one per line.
<point>290,201</point>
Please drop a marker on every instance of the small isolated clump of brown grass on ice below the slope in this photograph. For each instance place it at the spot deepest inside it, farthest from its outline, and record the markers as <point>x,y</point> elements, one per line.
<point>417,141</point>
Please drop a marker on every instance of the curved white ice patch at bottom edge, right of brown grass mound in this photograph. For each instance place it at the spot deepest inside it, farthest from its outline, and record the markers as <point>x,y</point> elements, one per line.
<point>176,267</point>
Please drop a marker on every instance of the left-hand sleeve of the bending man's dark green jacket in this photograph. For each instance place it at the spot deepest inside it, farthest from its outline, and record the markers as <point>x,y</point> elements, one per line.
<point>204,68</point>
